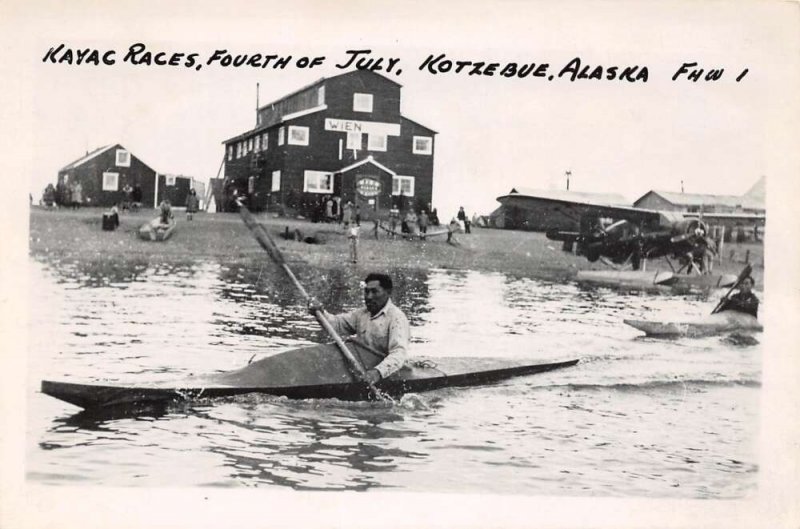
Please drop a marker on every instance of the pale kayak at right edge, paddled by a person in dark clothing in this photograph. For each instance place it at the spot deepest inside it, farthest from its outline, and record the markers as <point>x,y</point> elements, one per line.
<point>719,323</point>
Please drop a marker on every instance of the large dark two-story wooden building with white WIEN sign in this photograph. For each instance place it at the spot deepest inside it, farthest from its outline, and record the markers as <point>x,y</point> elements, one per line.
<point>341,136</point>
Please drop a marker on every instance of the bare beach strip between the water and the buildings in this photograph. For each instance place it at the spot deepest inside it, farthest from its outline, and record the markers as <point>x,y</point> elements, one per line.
<point>224,237</point>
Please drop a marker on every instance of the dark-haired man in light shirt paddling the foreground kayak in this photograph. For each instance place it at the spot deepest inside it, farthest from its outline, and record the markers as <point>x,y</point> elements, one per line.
<point>380,326</point>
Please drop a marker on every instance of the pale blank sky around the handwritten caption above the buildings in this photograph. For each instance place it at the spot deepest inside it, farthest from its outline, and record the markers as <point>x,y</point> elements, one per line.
<point>494,132</point>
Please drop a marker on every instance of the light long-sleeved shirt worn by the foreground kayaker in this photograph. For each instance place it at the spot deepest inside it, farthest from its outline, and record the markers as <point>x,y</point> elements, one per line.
<point>387,332</point>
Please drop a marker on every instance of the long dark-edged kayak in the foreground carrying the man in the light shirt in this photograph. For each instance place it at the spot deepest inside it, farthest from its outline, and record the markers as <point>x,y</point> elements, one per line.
<point>313,372</point>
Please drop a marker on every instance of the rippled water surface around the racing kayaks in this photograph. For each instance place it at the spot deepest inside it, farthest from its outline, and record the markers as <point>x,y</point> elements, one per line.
<point>636,417</point>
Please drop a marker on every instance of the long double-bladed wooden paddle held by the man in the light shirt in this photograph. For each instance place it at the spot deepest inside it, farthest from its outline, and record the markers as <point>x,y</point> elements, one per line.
<point>266,242</point>
